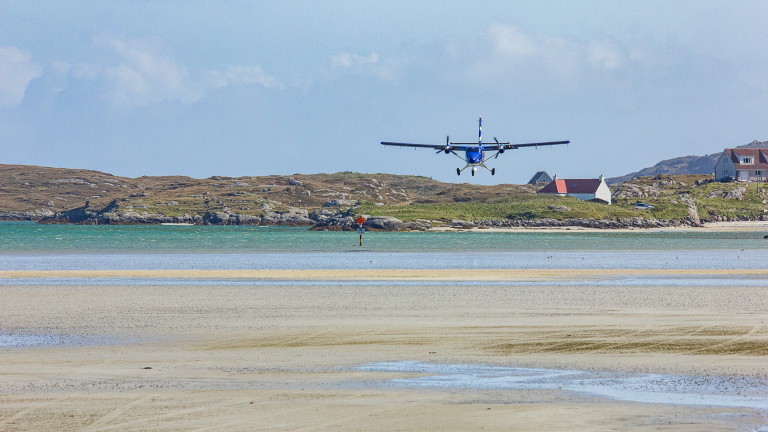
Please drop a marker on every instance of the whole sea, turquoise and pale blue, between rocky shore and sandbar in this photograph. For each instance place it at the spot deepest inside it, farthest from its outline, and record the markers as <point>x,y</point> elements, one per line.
<point>32,246</point>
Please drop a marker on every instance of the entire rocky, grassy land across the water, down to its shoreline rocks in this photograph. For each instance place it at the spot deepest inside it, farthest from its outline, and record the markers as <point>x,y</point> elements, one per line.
<point>332,201</point>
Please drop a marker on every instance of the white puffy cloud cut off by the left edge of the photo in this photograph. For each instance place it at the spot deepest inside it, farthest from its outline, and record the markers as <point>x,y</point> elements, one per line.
<point>16,72</point>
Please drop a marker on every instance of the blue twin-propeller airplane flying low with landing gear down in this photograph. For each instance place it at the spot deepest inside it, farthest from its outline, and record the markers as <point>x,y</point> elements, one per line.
<point>474,154</point>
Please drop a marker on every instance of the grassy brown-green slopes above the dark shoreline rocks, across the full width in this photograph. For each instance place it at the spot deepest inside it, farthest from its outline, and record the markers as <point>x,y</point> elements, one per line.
<point>408,198</point>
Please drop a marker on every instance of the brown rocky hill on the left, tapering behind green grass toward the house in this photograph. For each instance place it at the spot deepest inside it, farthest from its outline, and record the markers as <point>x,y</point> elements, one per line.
<point>58,195</point>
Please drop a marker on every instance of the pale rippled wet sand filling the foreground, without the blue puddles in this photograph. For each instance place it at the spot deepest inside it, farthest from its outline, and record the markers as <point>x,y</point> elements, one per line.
<point>287,357</point>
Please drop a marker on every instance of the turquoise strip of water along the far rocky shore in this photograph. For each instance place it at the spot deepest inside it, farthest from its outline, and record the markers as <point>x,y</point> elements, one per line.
<point>31,238</point>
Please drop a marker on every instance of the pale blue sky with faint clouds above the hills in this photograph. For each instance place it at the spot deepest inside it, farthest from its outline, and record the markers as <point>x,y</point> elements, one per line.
<point>247,88</point>
